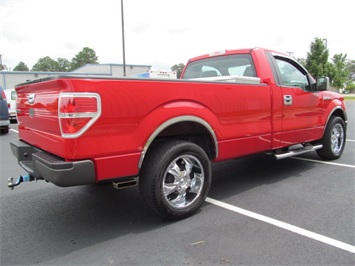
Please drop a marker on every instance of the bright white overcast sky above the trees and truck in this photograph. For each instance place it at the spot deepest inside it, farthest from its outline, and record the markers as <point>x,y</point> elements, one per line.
<point>162,33</point>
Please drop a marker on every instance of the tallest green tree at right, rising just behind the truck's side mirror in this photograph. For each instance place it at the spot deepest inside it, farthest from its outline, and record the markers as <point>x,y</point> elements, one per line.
<point>317,59</point>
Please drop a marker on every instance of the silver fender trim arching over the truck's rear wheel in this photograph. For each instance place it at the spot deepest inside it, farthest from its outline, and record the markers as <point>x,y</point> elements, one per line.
<point>166,124</point>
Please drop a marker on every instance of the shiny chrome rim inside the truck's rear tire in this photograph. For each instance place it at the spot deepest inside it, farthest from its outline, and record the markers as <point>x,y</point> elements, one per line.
<point>183,181</point>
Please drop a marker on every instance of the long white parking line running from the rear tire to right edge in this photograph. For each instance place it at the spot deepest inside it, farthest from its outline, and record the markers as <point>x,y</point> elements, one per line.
<point>289,227</point>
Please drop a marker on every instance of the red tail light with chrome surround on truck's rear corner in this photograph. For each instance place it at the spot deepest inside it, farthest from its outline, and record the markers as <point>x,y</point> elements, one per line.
<point>77,112</point>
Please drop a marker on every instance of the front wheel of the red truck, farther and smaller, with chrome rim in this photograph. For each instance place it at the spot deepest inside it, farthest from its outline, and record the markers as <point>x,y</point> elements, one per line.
<point>333,140</point>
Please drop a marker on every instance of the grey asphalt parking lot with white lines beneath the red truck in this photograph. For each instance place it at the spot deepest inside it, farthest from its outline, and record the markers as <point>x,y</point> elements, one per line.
<point>296,211</point>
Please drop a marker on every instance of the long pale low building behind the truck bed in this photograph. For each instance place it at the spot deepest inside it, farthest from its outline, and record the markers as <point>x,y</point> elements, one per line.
<point>9,79</point>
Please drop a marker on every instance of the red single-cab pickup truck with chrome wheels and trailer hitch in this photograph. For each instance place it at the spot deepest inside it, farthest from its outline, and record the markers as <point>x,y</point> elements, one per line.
<point>163,134</point>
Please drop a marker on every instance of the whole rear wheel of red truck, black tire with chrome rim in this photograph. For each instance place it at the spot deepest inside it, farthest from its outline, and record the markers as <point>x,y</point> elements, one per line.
<point>175,179</point>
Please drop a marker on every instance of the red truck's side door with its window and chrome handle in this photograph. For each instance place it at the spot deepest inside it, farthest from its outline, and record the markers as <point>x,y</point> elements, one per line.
<point>302,107</point>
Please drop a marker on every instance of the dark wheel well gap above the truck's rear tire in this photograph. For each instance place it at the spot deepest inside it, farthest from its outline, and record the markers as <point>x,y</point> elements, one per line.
<point>189,131</point>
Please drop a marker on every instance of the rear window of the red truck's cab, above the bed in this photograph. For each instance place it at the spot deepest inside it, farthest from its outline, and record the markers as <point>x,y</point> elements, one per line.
<point>230,65</point>
